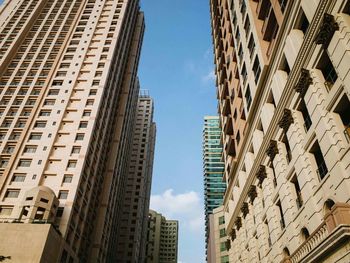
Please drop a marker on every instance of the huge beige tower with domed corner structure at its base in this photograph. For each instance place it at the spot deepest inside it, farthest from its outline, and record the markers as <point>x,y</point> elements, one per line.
<point>68,97</point>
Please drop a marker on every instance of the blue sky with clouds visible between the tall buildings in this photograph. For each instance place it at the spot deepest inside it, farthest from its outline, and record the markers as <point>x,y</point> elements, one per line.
<point>177,68</point>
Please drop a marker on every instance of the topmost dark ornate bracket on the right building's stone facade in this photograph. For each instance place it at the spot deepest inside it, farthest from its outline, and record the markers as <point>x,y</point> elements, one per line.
<point>327,29</point>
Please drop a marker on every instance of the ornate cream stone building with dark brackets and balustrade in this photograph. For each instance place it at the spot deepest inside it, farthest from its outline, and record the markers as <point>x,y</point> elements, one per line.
<point>283,89</point>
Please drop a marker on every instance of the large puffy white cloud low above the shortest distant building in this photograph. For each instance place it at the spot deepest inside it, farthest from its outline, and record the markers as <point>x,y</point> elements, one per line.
<point>185,207</point>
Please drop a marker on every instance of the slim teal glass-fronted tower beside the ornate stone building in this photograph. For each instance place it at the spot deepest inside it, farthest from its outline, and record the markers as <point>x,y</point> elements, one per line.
<point>214,187</point>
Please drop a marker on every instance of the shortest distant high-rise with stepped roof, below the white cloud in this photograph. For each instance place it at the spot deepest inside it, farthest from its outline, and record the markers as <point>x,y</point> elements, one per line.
<point>162,239</point>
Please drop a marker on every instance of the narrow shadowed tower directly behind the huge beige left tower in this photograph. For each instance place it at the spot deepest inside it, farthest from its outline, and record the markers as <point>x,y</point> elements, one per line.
<point>133,224</point>
